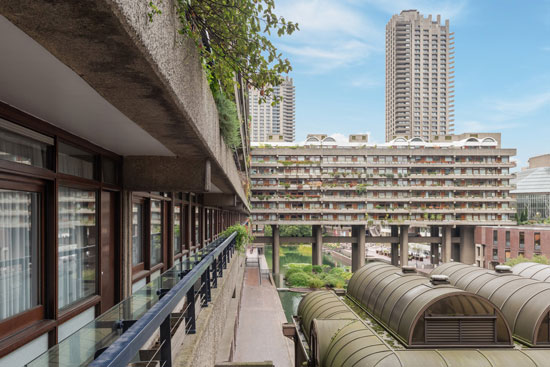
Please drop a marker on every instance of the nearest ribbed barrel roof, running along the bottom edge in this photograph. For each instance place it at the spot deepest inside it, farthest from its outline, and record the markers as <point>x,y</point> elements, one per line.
<point>354,343</point>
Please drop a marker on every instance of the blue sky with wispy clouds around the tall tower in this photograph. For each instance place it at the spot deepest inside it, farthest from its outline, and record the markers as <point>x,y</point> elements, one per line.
<point>502,63</point>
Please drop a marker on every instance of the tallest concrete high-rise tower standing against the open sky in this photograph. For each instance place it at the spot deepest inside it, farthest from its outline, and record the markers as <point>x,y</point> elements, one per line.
<point>419,76</point>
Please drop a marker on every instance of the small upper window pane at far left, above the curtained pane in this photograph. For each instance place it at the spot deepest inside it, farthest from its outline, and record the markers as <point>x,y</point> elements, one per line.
<point>24,150</point>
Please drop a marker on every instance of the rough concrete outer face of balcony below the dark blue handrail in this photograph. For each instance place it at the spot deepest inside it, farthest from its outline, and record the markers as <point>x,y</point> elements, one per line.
<point>201,349</point>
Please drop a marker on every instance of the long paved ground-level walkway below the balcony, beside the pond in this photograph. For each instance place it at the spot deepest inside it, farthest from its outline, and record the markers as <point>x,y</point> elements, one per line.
<point>259,334</point>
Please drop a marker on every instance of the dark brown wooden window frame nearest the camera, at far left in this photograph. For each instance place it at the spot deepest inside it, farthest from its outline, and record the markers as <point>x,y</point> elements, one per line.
<point>50,179</point>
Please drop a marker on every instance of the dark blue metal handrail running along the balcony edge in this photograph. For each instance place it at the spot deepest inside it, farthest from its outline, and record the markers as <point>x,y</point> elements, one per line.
<point>123,350</point>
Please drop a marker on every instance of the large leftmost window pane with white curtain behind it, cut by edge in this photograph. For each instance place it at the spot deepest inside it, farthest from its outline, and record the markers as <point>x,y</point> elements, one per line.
<point>19,244</point>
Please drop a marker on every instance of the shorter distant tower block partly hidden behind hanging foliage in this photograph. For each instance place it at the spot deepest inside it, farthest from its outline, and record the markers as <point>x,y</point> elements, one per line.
<point>273,122</point>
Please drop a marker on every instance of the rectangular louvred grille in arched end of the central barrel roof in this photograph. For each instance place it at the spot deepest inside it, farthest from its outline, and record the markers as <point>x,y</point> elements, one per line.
<point>458,330</point>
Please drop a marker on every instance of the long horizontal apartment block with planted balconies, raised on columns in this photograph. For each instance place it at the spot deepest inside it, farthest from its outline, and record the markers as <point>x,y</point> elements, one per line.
<point>455,180</point>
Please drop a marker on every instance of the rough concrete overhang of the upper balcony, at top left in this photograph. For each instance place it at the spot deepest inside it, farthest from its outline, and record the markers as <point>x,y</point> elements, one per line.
<point>146,70</point>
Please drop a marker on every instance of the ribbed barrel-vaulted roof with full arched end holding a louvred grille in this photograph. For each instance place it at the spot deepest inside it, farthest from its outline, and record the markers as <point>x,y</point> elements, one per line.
<point>420,313</point>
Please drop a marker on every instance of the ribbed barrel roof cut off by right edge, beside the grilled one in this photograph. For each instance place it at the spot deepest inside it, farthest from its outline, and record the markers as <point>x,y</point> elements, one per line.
<point>524,302</point>
